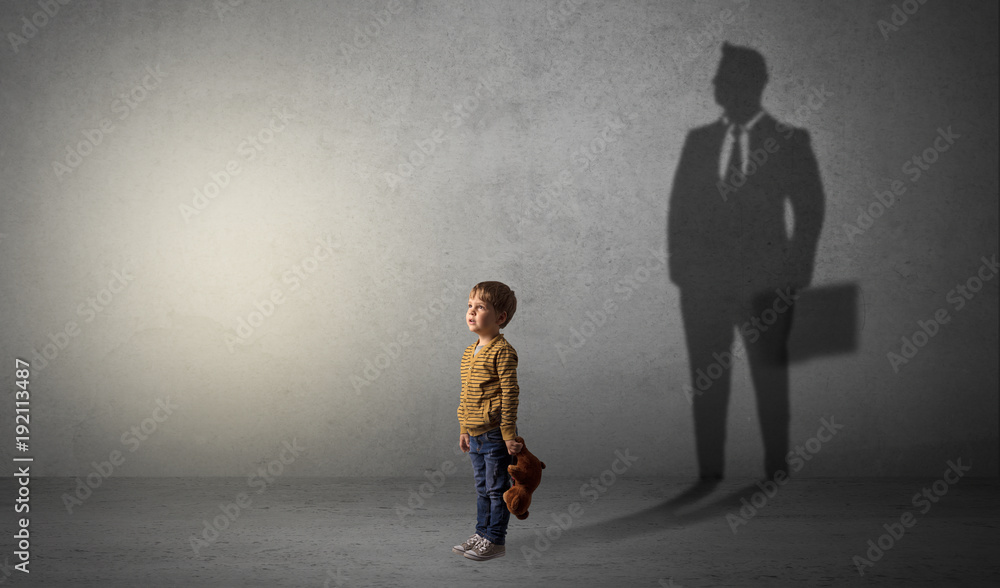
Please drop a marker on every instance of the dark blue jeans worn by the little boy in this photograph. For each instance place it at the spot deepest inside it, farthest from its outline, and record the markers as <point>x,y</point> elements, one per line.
<point>489,465</point>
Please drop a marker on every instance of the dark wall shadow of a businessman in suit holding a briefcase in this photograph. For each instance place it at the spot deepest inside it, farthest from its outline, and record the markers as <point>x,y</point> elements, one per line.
<point>745,215</point>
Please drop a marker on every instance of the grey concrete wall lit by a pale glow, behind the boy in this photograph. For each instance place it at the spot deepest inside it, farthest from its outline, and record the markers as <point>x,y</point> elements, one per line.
<point>538,80</point>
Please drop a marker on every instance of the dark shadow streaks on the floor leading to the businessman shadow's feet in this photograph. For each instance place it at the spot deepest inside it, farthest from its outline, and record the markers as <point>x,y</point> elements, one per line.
<point>672,513</point>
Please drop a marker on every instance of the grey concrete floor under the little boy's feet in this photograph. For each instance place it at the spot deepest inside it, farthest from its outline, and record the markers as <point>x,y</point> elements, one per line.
<point>350,532</point>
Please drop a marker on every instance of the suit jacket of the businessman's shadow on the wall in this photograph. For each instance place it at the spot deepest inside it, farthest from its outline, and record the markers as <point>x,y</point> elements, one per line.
<point>733,236</point>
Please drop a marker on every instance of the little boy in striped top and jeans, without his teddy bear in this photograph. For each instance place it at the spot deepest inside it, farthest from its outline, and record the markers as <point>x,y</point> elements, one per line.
<point>487,415</point>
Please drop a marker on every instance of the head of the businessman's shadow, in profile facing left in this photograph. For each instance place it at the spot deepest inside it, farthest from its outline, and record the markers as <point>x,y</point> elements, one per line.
<point>739,82</point>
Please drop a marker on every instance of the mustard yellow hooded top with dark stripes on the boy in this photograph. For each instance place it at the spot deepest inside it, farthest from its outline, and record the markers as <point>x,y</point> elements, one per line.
<point>489,389</point>
